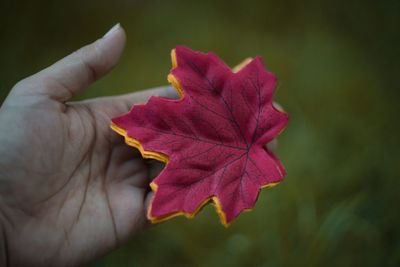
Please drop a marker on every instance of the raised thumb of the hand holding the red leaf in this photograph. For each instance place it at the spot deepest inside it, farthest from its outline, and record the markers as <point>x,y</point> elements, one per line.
<point>67,77</point>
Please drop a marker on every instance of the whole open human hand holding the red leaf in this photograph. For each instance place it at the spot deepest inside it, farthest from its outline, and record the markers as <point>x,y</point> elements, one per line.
<point>70,189</point>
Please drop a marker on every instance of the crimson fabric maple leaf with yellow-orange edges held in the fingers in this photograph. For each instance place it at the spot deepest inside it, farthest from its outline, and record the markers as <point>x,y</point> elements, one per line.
<point>212,138</point>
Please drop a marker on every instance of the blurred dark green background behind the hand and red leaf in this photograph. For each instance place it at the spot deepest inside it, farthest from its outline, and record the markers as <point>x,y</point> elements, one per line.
<point>338,64</point>
